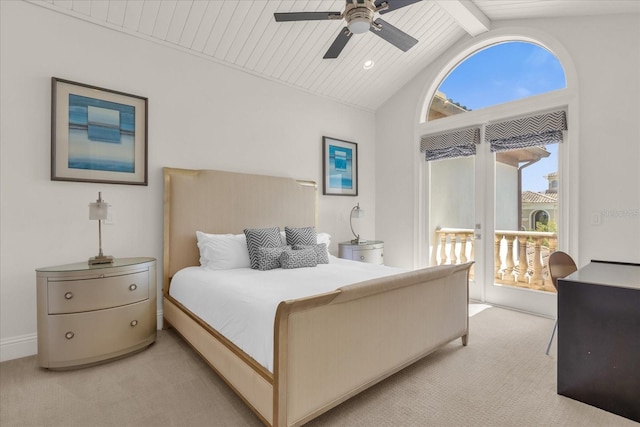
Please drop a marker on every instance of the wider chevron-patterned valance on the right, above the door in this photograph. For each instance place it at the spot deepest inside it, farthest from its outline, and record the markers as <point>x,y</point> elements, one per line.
<point>531,131</point>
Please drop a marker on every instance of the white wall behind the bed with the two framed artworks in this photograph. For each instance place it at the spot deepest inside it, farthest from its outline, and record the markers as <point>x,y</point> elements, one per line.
<point>201,115</point>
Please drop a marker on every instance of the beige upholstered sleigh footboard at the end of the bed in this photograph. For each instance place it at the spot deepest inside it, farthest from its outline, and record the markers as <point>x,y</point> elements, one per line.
<point>332,347</point>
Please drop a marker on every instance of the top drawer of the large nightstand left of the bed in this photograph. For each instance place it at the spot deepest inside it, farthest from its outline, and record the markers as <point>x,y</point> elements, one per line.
<point>76,296</point>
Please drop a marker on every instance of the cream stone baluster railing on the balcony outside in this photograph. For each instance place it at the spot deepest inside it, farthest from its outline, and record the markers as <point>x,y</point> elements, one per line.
<point>520,257</point>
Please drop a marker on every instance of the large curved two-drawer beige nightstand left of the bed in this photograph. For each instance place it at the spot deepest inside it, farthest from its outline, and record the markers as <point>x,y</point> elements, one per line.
<point>90,314</point>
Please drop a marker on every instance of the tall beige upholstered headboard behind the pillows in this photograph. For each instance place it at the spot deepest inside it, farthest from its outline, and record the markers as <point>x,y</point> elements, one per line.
<point>227,202</point>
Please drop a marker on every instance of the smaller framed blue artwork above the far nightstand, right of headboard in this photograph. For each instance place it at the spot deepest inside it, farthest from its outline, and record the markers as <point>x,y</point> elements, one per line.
<point>339,167</point>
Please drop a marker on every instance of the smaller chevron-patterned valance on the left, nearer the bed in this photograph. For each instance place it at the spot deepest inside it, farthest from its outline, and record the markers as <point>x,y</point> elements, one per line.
<point>459,143</point>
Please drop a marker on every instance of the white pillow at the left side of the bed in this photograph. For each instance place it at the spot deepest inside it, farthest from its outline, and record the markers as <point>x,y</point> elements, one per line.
<point>223,251</point>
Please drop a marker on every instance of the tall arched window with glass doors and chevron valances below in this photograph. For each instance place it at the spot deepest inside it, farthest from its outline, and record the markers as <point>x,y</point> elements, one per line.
<point>493,127</point>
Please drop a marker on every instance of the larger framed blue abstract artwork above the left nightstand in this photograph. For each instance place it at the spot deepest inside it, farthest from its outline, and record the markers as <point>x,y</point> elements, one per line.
<point>97,134</point>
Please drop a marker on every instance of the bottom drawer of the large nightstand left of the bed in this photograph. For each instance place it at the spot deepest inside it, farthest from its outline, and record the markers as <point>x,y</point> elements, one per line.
<point>82,338</point>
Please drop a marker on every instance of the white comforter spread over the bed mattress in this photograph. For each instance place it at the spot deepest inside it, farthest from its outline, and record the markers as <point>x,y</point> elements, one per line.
<point>241,303</point>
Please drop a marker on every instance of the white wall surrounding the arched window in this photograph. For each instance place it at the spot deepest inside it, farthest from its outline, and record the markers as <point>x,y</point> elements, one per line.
<point>606,54</point>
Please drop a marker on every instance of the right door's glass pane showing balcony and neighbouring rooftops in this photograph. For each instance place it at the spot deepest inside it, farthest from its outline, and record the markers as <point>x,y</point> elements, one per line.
<point>526,206</point>
